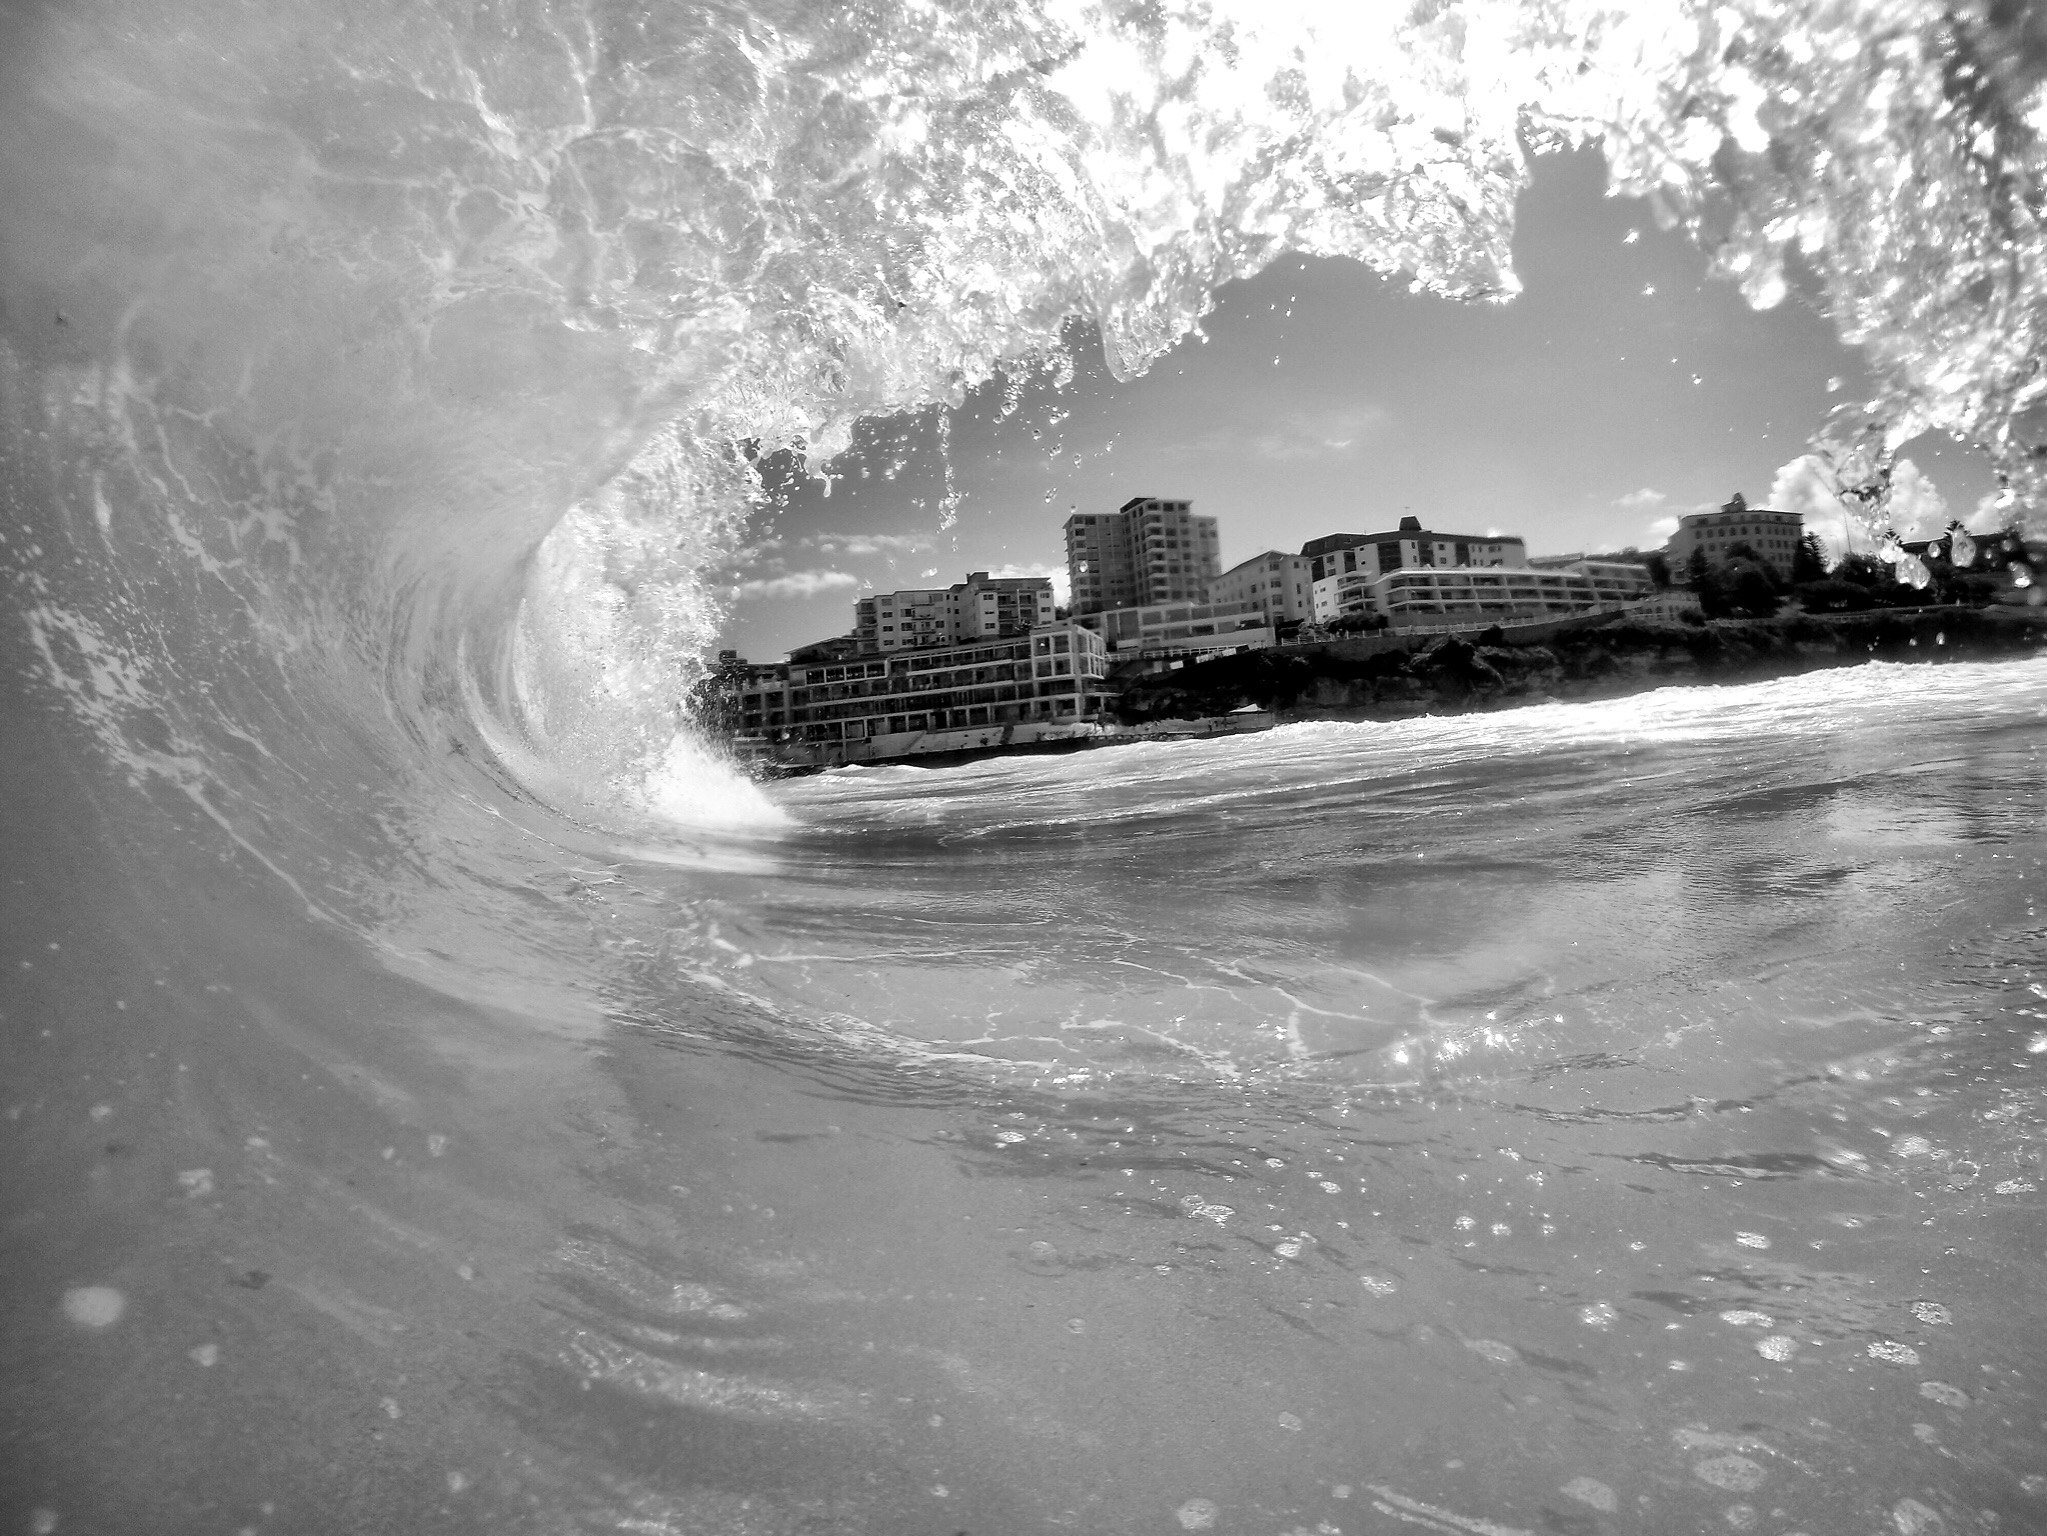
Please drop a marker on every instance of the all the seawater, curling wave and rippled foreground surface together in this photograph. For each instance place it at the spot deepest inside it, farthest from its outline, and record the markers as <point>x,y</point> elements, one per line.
<point>441,1095</point>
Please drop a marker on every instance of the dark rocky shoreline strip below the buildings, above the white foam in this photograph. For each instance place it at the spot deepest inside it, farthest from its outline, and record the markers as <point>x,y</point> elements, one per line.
<point>1461,675</point>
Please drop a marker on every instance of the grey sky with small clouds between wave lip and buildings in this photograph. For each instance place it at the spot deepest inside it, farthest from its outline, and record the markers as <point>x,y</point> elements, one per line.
<point>1620,390</point>
